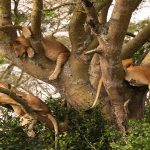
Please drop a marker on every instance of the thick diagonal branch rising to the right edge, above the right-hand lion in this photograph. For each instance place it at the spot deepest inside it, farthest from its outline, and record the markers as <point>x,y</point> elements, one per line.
<point>136,43</point>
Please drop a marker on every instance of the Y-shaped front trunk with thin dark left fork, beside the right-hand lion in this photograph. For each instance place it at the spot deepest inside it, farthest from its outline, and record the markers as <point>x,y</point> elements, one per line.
<point>111,68</point>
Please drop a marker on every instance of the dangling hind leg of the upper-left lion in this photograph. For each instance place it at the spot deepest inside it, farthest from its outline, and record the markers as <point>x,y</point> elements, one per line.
<point>62,58</point>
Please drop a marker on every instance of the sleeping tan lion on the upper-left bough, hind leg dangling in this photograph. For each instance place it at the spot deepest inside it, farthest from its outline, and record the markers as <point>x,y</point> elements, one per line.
<point>53,49</point>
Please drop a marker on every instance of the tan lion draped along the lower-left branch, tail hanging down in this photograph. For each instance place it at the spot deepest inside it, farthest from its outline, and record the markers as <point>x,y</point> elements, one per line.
<point>26,119</point>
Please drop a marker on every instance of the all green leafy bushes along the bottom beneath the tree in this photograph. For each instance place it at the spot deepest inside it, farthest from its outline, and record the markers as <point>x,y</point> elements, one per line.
<point>87,130</point>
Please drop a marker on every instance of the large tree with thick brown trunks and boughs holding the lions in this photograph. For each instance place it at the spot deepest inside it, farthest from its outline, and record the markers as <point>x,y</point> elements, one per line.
<point>73,83</point>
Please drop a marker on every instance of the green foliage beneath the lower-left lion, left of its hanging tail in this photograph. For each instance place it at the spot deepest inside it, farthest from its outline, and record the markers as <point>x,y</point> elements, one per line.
<point>13,137</point>
